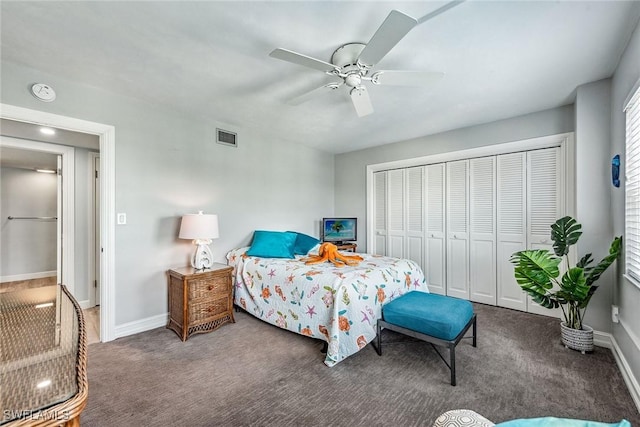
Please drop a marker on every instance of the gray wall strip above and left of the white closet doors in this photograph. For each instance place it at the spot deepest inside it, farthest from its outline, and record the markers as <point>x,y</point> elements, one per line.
<point>351,167</point>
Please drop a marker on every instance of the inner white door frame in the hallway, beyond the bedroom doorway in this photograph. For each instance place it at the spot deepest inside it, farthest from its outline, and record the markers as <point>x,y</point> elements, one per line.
<point>66,268</point>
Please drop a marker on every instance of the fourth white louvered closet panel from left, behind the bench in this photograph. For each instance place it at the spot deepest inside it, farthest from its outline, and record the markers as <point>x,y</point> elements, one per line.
<point>435,228</point>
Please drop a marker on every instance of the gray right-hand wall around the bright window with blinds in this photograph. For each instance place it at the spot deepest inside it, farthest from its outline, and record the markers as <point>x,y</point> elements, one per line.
<point>626,295</point>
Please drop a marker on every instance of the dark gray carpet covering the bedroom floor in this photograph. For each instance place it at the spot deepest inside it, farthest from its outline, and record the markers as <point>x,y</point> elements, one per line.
<point>254,374</point>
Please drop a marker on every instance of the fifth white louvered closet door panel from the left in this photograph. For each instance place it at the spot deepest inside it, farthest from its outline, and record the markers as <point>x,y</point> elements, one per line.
<point>458,229</point>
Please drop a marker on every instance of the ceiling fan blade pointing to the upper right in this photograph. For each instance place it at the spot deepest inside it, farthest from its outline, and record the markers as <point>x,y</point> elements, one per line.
<point>392,30</point>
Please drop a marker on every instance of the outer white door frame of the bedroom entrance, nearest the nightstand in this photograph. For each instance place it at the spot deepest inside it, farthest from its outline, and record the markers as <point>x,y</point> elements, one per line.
<point>106,134</point>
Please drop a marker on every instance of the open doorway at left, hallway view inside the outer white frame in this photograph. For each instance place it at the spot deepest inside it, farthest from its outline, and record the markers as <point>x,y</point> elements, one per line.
<point>37,209</point>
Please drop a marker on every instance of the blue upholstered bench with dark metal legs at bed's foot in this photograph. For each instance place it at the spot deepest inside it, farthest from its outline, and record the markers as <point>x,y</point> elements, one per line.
<point>437,319</point>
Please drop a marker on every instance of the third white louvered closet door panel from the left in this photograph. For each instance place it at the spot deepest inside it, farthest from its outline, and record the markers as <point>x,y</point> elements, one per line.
<point>415,215</point>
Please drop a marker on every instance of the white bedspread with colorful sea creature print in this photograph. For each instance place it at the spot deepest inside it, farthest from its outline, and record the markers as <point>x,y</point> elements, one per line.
<point>337,305</point>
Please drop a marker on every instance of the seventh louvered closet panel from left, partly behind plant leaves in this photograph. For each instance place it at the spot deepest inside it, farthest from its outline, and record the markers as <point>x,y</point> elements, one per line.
<point>511,226</point>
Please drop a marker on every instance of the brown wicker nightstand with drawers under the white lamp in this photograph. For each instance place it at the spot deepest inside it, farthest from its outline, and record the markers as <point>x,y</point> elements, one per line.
<point>200,301</point>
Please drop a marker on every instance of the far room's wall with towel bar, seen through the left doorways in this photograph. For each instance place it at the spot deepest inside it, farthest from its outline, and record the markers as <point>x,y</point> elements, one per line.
<point>27,246</point>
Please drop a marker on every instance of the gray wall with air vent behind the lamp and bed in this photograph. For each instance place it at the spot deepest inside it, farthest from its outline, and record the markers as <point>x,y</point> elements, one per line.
<point>167,165</point>
